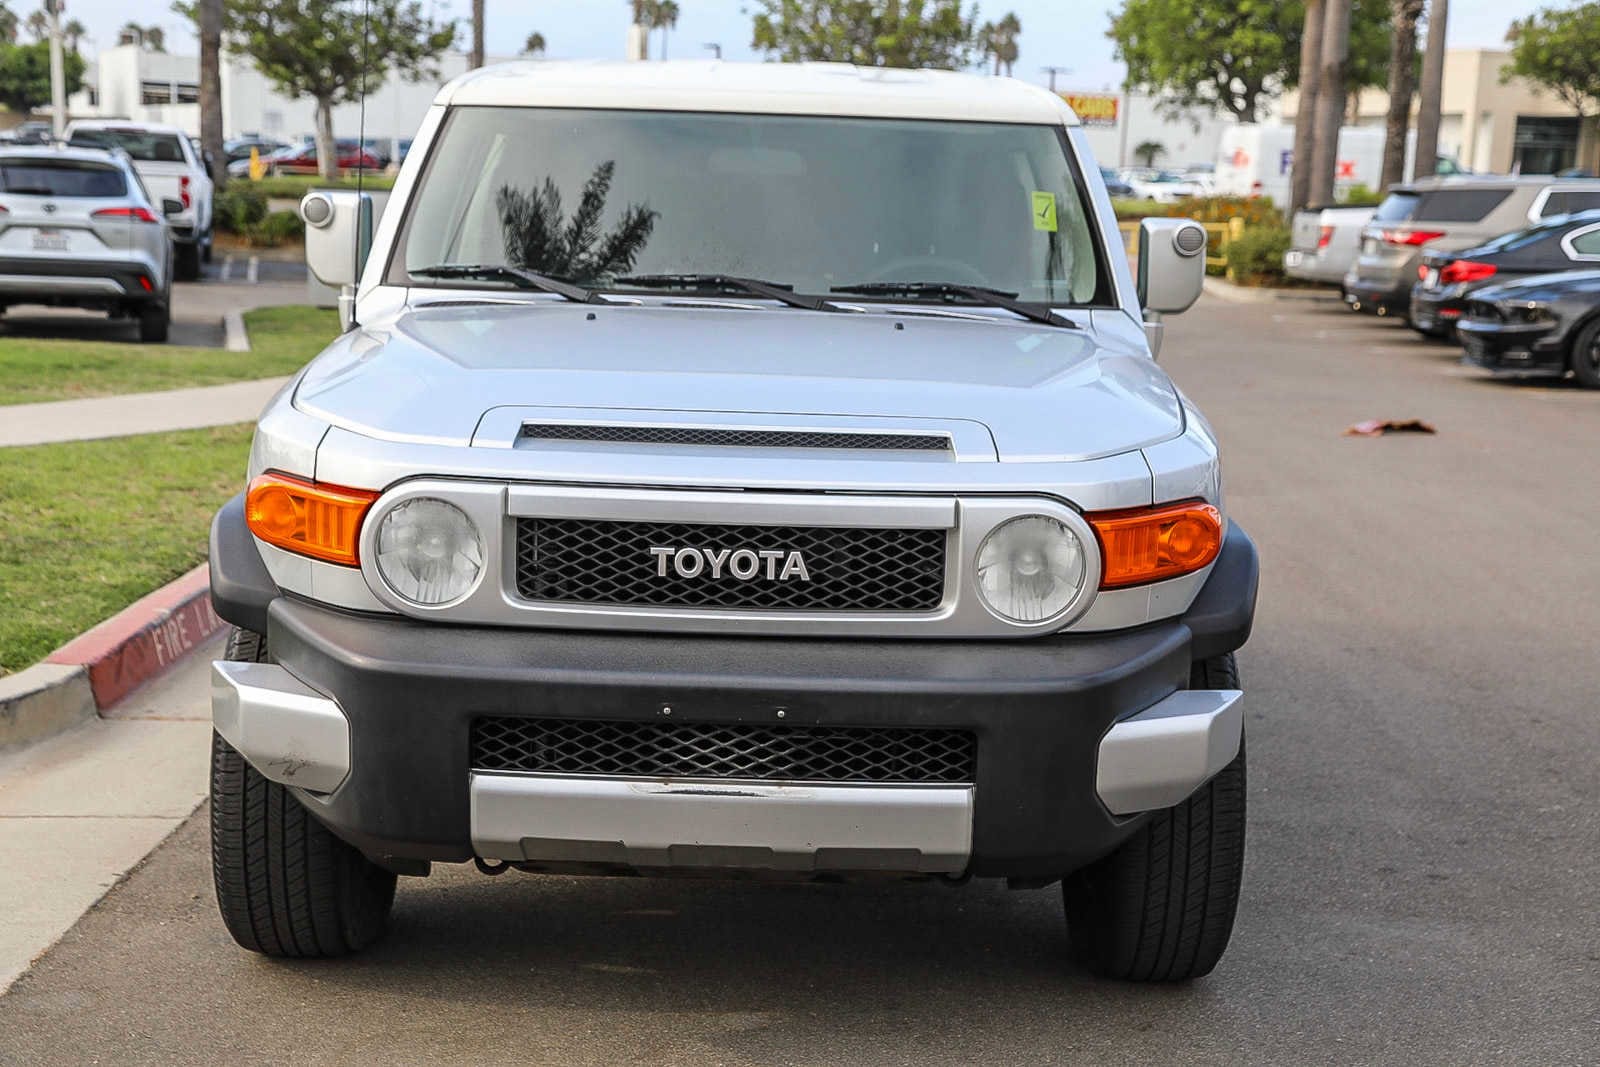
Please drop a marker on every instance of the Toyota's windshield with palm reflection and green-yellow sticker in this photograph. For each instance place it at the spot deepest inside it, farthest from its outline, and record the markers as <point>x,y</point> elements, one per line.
<point>598,196</point>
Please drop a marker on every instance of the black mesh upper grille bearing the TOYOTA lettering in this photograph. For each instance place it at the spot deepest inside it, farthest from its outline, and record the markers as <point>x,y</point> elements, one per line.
<point>604,562</point>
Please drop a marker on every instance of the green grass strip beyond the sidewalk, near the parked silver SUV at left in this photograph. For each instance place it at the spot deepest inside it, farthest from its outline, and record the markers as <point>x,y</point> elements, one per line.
<point>282,340</point>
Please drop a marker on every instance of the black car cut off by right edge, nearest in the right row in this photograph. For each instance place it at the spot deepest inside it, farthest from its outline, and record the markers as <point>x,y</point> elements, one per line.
<point>1543,326</point>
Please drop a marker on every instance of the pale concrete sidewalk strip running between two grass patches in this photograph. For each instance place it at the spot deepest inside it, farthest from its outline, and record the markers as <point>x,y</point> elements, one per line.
<point>135,414</point>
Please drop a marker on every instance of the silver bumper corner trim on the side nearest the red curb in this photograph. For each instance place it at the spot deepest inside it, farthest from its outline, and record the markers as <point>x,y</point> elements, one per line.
<point>282,727</point>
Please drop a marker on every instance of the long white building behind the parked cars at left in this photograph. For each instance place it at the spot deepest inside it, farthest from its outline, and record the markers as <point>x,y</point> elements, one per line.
<point>129,82</point>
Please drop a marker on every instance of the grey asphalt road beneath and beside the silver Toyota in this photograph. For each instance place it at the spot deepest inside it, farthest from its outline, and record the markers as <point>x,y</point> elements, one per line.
<point>1423,879</point>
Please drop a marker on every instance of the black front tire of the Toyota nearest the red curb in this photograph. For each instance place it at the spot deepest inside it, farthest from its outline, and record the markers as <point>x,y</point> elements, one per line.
<point>286,885</point>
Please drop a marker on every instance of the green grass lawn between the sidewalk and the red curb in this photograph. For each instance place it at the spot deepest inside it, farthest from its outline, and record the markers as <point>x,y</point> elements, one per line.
<point>90,527</point>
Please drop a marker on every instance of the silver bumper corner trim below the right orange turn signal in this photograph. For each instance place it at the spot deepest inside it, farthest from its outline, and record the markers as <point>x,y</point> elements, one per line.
<point>1166,753</point>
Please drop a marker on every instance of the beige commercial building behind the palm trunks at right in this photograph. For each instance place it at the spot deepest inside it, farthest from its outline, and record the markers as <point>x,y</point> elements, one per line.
<point>1489,126</point>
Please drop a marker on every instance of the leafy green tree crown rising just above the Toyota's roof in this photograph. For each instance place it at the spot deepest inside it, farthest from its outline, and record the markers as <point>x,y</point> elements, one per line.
<point>868,33</point>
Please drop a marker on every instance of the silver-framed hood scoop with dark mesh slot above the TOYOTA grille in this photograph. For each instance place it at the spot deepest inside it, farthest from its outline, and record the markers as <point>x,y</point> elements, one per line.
<point>732,433</point>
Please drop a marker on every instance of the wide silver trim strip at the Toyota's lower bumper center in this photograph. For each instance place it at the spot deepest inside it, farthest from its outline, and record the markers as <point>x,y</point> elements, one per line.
<point>682,823</point>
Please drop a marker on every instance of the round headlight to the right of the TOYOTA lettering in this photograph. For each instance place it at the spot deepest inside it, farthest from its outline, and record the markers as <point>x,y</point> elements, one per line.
<point>1031,569</point>
